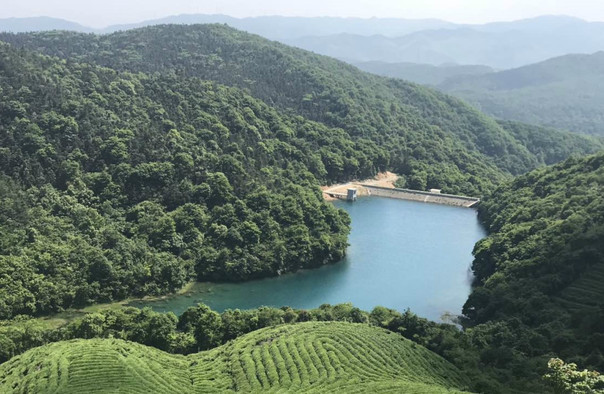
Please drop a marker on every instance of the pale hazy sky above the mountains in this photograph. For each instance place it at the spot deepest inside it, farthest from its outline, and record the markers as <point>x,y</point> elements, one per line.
<point>99,13</point>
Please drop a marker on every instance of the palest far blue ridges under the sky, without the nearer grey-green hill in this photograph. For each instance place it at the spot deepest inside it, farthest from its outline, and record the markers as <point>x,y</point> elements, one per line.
<point>500,45</point>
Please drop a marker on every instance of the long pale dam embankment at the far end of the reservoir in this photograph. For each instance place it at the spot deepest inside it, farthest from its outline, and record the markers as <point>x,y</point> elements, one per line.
<point>417,195</point>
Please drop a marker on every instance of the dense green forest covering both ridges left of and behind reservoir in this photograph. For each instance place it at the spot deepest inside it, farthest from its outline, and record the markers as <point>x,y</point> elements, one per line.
<point>118,183</point>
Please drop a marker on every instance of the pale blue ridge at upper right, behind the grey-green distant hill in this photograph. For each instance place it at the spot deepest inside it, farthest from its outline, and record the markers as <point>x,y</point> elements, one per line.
<point>500,46</point>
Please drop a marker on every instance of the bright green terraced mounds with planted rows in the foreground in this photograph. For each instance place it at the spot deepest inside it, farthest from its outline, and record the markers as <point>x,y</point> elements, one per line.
<point>305,357</point>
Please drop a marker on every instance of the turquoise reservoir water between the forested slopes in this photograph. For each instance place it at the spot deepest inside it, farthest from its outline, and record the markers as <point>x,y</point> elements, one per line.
<point>402,254</point>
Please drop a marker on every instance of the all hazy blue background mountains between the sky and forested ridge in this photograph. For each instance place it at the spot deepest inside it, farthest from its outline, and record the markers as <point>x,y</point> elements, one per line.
<point>564,92</point>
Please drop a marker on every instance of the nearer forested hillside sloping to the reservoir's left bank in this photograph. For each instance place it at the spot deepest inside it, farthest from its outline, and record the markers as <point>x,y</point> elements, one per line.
<point>125,184</point>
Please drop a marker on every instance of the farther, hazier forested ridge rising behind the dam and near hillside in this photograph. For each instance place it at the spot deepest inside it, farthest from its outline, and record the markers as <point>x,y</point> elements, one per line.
<point>432,140</point>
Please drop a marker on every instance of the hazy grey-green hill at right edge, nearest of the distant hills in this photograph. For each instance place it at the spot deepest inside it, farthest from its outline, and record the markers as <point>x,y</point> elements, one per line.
<point>566,93</point>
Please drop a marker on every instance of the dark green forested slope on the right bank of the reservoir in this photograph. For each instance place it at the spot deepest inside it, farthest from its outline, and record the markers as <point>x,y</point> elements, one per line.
<point>539,272</point>
